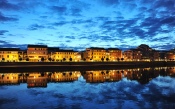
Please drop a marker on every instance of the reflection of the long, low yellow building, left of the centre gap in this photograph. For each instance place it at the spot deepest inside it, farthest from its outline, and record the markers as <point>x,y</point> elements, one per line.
<point>65,76</point>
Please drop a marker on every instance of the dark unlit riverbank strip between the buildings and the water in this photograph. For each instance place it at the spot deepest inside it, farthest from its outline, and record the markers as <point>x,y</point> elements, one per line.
<point>72,66</point>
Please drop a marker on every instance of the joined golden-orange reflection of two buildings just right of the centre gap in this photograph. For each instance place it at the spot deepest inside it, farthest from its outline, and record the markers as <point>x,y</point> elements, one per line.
<point>102,76</point>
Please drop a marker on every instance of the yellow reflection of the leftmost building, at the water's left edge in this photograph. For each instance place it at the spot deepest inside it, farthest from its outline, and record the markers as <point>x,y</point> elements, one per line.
<point>9,78</point>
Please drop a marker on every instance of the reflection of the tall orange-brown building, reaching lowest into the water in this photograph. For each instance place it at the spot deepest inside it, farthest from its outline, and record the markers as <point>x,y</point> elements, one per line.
<point>36,80</point>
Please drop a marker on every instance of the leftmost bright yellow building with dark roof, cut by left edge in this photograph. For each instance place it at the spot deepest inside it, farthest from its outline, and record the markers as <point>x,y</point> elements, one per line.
<point>9,54</point>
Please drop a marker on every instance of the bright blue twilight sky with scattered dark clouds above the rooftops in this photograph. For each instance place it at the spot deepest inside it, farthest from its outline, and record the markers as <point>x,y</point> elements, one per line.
<point>79,24</point>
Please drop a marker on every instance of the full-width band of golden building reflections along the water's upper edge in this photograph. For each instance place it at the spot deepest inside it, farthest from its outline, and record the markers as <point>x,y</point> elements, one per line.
<point>40,79</point>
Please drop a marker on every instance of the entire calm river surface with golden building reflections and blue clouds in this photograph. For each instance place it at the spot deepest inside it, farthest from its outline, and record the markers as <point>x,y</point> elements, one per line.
<point>141,88</point>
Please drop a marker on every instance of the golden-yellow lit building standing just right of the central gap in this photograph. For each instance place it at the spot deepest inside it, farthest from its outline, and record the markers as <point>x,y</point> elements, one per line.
<point>95,54</point>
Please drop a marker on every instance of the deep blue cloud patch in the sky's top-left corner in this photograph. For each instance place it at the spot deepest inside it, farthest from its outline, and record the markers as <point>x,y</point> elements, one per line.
<point>5,5</point>
